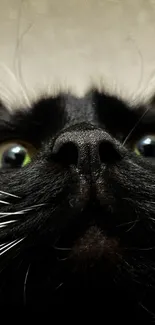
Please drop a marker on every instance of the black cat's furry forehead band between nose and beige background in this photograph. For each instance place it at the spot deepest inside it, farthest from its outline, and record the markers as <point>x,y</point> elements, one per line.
<point>47,116</point>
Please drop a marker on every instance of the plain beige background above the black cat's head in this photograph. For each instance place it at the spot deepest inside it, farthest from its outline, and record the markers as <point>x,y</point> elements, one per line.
<point>51,44</point>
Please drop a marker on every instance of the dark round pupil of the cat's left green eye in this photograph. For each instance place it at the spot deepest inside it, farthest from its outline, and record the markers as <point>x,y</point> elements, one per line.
<point>13,157</point>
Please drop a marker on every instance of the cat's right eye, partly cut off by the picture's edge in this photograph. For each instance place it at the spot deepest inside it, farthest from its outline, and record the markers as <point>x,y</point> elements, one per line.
<point>146,147</point>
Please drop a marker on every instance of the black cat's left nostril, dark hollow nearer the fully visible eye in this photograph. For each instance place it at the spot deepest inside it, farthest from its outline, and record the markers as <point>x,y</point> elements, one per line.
<point>67,154</point>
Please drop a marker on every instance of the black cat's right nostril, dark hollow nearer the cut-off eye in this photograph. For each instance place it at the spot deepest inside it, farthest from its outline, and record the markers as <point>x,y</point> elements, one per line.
<point>108,153</point>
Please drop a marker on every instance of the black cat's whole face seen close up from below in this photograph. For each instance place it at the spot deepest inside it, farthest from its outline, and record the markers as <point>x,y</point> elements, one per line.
<point>77,205</point>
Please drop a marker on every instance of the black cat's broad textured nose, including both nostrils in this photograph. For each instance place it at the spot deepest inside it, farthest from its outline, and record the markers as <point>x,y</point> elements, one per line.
<point>86,149</point>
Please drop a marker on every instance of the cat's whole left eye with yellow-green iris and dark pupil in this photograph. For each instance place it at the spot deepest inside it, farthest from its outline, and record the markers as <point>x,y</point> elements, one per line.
<point>15,155</point>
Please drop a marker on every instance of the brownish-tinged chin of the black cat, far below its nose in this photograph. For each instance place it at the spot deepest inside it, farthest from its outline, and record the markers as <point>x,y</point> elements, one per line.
<point>88,250</point>
